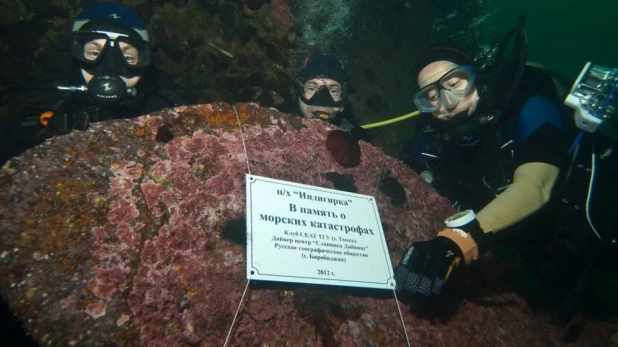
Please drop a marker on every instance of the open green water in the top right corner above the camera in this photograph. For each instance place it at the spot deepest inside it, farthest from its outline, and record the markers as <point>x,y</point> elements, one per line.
<point>562,34</point>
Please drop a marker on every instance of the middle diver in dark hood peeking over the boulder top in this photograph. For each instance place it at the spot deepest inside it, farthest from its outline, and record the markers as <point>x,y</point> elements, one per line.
<point>323,87</point>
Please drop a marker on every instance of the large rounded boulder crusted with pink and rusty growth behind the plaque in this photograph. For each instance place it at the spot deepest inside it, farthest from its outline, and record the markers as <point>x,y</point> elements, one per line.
<point>109,237</point>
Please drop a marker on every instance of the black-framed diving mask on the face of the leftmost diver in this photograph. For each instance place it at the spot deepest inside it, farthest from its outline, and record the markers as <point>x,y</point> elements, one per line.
<point>115,53</point>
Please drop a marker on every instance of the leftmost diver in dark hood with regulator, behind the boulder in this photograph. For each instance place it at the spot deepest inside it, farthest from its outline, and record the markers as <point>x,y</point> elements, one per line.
<point>112,77</point>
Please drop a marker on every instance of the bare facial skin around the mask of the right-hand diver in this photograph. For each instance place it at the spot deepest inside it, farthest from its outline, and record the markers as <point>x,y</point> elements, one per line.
<point>431,74</point>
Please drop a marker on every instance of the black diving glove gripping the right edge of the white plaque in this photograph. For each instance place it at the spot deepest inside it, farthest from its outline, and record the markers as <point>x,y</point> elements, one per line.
<point>426,265</point>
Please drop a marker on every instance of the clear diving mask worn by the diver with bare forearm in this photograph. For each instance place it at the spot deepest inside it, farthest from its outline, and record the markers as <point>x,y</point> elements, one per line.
<point>447,92</point>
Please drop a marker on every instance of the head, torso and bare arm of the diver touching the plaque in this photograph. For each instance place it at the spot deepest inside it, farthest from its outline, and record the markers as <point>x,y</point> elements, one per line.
<point>503,164</point>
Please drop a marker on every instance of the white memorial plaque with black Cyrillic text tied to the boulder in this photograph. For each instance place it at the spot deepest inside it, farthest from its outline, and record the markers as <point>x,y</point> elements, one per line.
<point>306,234</point>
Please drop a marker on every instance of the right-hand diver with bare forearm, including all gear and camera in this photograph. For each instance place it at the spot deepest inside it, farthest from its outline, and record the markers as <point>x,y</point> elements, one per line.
<point>495,138</point>
